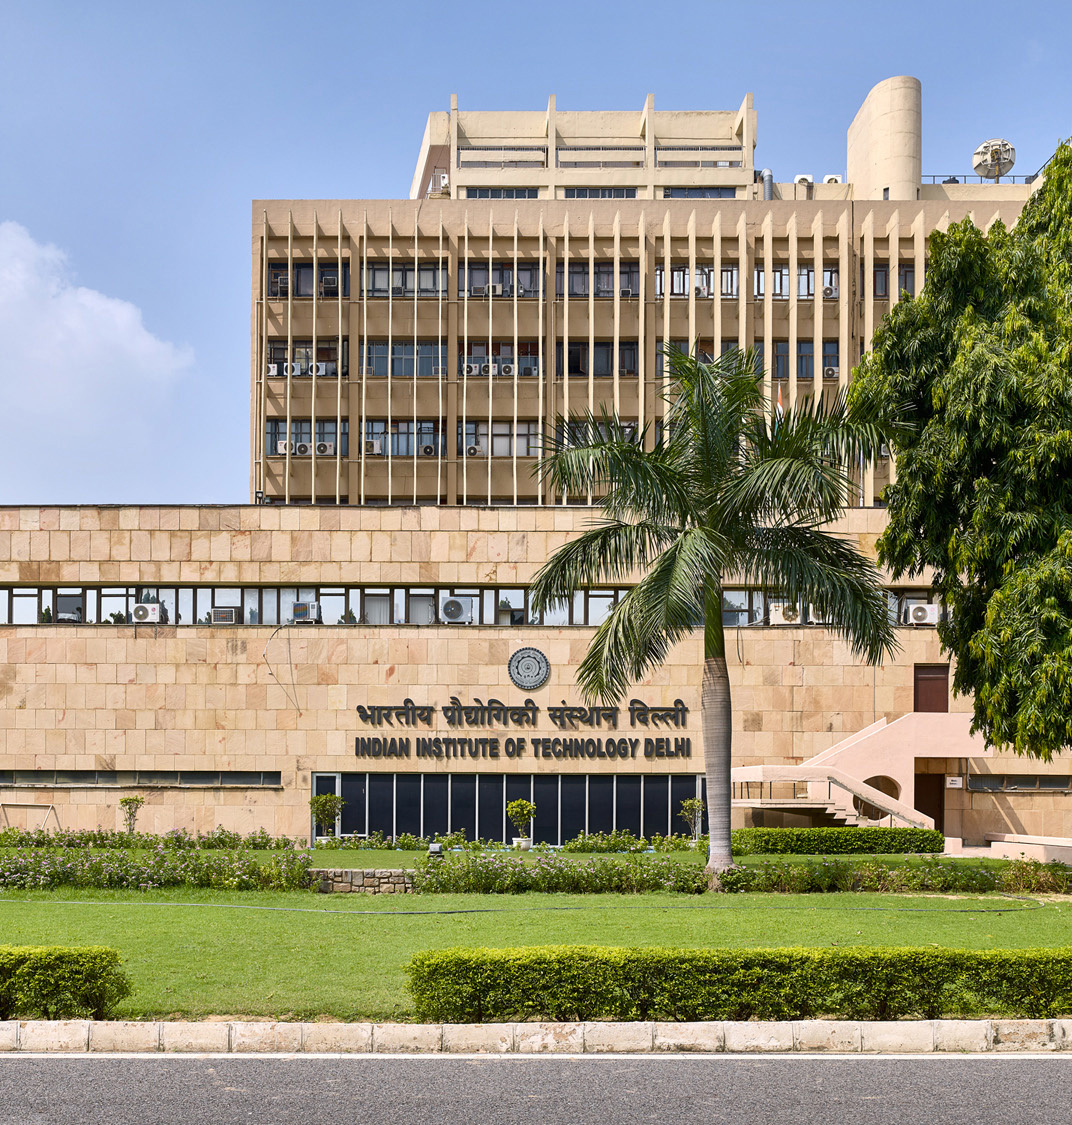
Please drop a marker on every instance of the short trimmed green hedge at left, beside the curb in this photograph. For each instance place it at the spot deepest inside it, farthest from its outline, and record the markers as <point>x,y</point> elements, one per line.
<point>55,983</point>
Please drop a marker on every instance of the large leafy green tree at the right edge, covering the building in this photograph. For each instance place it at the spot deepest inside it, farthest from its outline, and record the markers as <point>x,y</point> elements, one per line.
<point>980,365</point>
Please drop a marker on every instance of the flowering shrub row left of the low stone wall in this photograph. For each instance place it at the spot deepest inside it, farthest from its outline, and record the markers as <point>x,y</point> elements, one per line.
<point>239,870</point>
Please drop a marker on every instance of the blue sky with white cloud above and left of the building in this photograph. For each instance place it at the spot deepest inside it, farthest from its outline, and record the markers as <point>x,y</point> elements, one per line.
<point>133,138</point>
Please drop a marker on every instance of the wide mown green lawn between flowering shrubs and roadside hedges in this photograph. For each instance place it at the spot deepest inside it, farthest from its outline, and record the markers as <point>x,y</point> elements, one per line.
<point>193,953</point>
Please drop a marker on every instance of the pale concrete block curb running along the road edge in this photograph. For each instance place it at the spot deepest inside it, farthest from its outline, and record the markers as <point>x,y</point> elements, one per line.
<point>807,1037</point>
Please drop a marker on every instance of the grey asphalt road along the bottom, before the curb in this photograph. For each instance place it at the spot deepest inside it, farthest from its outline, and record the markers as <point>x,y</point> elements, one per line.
<point>621,1091</point>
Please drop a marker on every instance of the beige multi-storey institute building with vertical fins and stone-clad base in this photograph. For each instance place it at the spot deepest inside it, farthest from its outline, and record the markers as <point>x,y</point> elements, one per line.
<point>364,627</point>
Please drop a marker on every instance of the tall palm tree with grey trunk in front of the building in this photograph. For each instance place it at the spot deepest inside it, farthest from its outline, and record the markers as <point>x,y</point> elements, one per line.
<point>729,492</point>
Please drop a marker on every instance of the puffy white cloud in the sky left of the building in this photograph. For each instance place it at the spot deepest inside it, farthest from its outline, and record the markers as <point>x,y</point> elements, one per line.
<point>75,364</point>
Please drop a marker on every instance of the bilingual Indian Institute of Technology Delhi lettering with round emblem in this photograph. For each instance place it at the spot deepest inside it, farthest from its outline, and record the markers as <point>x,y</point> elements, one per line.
<point>529,669</point>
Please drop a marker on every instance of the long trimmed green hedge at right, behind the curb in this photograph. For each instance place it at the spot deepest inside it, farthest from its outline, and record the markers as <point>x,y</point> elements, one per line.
<point>589,984</point>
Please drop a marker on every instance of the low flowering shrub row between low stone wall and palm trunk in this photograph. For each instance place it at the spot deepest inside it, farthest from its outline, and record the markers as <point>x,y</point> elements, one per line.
<point>497,874</point>
